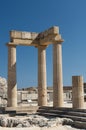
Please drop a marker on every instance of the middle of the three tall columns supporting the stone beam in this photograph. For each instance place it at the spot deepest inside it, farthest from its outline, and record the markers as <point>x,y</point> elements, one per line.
<point>42,86</point>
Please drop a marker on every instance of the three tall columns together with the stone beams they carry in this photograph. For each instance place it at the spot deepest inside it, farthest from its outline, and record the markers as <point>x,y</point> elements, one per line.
<point>40,41</point>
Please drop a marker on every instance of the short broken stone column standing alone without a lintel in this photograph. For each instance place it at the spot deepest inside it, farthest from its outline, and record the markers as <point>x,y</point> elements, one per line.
<point>77,92</point>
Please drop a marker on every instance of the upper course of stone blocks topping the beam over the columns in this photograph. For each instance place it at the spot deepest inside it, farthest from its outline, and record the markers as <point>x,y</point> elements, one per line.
<point>33,35</point>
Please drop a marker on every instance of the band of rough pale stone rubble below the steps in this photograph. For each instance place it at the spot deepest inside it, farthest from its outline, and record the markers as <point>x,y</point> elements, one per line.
<point>33,120</point>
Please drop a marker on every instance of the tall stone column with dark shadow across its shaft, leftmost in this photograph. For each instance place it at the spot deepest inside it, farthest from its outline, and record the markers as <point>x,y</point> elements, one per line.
<point>12,84</point>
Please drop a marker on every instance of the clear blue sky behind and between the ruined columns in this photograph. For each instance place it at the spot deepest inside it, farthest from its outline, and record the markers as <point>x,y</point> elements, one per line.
<point>36,16</point>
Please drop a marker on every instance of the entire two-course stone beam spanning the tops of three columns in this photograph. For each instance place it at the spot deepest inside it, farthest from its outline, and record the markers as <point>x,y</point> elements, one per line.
<point>46,37</point>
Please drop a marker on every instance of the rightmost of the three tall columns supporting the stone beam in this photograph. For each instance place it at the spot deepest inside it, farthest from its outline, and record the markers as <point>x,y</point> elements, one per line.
<point>57,75</point>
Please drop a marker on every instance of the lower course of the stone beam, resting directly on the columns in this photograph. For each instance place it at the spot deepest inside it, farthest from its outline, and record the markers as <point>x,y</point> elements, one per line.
<point>44,42</point>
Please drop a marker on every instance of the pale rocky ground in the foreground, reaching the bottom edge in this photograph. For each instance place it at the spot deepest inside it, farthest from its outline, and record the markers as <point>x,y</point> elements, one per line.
<point>35,121</point>
